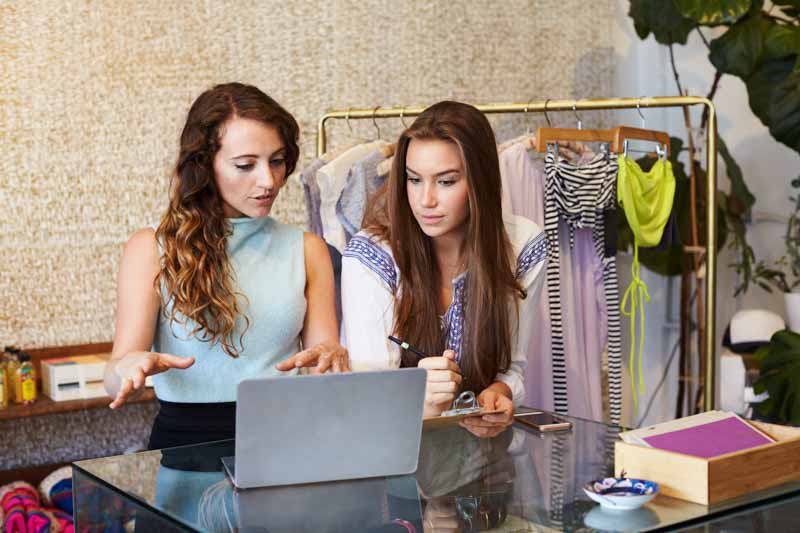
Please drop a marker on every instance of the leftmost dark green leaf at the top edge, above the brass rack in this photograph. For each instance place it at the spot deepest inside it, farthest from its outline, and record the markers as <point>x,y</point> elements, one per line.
<point>662,19</point>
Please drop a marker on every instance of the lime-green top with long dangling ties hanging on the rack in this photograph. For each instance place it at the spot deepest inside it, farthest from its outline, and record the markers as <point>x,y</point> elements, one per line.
<point>646,198</point>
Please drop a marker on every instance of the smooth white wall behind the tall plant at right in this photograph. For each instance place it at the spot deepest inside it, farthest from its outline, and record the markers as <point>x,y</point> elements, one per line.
<point>643,68</point>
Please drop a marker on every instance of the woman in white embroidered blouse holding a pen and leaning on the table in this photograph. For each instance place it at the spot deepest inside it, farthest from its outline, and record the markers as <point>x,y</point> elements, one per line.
<point>439,267</point>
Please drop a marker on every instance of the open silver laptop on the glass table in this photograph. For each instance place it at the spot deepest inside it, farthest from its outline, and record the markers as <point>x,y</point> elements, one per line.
<point>307,429</point>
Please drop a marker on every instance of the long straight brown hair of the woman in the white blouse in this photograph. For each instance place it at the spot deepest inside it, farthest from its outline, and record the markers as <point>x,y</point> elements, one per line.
<point>492,290</point>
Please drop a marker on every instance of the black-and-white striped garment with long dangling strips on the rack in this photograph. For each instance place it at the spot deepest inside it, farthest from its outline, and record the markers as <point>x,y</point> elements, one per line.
<point>580,195</point>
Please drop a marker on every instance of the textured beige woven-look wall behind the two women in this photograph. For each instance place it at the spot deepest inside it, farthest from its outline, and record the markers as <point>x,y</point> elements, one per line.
<point>93,96</point>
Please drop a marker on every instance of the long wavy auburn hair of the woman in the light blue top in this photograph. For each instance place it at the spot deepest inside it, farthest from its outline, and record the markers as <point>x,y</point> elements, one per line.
<point>195,271</point>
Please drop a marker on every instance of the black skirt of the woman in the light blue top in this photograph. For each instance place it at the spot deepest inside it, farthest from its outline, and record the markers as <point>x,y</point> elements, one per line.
<point>181,424</point>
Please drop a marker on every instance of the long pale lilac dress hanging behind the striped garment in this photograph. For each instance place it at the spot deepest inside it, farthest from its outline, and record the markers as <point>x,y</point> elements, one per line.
<point>581,291</point>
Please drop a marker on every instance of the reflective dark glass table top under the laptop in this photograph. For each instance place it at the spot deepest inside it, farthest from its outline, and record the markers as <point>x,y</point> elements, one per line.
<point>518,481</point>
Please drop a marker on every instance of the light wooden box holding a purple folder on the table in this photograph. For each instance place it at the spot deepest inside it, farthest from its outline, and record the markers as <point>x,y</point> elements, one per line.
<point>709,481</point>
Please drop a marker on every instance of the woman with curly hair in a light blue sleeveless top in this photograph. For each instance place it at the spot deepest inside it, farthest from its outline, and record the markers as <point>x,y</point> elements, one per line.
<point>220,291</point>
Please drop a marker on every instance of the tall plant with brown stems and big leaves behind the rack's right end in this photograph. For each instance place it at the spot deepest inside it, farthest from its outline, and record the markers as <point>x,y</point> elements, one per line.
<point>759,45</point>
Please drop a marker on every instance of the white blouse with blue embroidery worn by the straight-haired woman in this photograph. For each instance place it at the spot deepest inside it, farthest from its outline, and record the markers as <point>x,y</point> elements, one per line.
<point>370,279</point>
